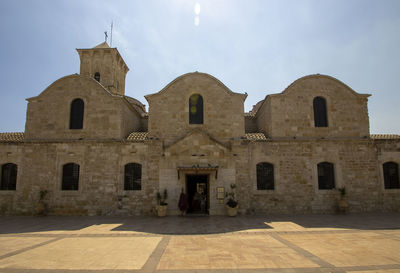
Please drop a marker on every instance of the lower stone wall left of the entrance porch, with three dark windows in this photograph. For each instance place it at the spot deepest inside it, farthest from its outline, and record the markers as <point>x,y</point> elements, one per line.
<point>101,178</point>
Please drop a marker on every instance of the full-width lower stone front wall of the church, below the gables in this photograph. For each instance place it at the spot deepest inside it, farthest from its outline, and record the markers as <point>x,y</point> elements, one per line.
<point>357,167</point>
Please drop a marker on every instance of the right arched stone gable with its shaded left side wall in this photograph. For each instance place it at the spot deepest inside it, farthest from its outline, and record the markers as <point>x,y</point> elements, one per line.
<point>315,106</point>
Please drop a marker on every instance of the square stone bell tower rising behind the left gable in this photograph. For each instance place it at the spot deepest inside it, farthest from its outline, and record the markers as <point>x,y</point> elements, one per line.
<point>105,65</point>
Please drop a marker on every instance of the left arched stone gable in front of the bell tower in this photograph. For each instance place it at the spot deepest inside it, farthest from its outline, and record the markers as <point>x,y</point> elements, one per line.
<point>54,113</point>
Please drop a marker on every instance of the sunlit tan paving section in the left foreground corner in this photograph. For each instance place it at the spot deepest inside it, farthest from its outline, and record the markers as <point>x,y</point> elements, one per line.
<point>86,253</point>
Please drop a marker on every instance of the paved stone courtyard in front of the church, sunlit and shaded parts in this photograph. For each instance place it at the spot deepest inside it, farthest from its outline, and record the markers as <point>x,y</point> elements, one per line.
<point>301,243</point>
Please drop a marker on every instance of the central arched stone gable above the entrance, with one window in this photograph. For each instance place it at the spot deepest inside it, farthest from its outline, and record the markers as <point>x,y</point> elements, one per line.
<point>174,111</point>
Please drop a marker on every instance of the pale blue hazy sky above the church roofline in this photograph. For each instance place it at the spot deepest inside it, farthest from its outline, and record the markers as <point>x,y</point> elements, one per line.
<point>258,47</point>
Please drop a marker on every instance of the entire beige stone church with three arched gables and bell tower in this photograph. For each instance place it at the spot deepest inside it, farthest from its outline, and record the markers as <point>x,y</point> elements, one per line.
<point>96,151</point>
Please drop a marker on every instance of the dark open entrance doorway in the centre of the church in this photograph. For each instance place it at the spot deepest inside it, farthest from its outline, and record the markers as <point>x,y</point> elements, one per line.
<point>198,193</point>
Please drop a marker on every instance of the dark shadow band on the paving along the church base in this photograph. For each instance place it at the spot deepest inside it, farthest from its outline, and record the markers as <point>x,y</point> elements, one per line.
<point>196,224</point>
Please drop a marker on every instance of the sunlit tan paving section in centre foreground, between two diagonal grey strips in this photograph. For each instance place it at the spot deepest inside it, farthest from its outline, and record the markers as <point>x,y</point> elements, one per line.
<point>230,252</point>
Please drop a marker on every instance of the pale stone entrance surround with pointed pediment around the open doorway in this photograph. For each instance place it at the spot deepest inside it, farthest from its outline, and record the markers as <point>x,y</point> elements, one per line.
<point>196,149</point>
